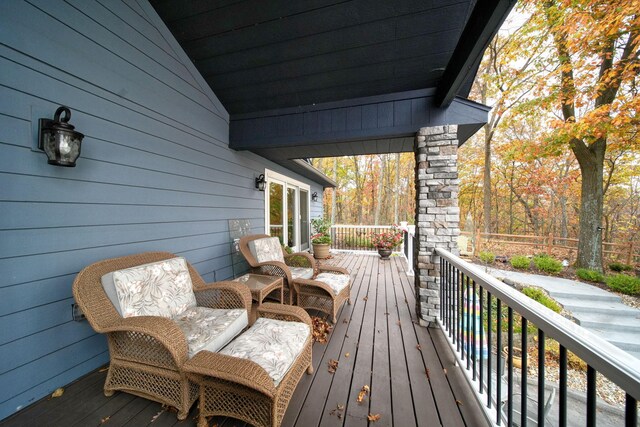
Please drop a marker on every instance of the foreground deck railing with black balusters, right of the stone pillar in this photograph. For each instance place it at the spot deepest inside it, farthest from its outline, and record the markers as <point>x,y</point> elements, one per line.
<point>474,309</point>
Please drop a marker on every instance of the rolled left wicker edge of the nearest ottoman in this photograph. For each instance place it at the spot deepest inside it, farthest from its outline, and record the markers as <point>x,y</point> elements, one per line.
<point>232,369</point>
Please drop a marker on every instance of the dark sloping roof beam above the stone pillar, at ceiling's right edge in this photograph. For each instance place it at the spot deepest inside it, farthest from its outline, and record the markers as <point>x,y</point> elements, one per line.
<point>483,24</point>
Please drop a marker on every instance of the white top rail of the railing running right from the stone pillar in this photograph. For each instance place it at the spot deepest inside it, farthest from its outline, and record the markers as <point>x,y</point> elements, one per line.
<point>616,364</point>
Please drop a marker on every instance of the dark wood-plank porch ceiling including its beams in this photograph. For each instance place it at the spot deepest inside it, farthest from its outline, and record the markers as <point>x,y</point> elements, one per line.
<point>279,55</point>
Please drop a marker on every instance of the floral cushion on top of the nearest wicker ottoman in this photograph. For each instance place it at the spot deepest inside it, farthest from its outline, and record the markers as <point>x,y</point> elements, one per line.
<point>272,344</point>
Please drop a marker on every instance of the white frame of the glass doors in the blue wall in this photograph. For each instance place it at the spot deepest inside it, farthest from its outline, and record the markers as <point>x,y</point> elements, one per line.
<point>288,183</point>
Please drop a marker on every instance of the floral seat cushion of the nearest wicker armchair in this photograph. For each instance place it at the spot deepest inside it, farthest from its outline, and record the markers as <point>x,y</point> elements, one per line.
<point>209,328</point>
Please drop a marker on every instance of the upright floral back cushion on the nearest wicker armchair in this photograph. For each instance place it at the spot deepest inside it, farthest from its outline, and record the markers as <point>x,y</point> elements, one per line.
<point>158,289</point>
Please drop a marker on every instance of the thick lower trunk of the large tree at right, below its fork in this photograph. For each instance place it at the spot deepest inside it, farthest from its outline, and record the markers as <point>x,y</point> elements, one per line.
<point>591,161</point>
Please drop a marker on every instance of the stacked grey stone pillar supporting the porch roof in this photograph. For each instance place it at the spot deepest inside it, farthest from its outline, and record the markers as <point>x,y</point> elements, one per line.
<point>437,214</point>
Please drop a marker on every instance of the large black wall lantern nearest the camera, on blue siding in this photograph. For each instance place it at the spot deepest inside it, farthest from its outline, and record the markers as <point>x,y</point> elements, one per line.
<point>58,139</point>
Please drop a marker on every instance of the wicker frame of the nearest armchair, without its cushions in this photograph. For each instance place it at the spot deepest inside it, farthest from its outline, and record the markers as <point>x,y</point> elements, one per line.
<point>148,352</point>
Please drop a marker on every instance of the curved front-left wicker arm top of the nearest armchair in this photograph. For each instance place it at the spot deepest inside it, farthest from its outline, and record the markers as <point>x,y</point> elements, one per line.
<point>160,329</point>
